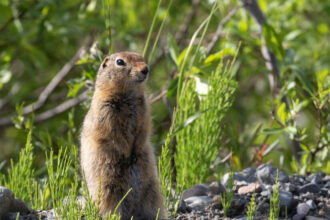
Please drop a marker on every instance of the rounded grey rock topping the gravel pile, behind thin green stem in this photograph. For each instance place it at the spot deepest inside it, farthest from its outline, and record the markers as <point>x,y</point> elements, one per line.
<point>267,174</point>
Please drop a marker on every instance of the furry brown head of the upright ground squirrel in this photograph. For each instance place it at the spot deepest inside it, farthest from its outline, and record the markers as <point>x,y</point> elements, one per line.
<point>122,72</point>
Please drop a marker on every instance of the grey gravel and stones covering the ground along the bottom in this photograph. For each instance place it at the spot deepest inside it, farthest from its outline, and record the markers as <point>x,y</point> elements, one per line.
<point>301,198</point>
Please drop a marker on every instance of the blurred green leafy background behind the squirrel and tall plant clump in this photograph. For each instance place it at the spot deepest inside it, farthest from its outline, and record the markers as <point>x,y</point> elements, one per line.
<point>38,38</point>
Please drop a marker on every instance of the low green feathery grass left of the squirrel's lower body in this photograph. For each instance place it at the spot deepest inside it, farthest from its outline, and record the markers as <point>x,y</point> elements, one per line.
<point>59,190</point>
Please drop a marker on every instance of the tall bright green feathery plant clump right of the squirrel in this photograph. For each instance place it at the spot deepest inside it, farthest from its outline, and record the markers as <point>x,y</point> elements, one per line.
<point>196,124</point>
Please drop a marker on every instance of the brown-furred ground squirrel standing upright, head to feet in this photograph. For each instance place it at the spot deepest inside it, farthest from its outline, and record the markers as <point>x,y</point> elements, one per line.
<point>115,148</point>
